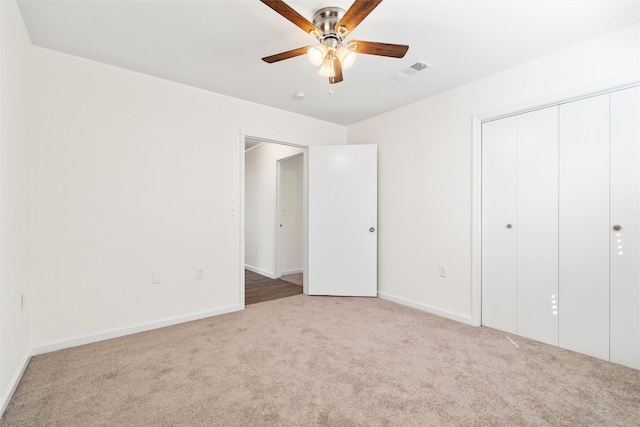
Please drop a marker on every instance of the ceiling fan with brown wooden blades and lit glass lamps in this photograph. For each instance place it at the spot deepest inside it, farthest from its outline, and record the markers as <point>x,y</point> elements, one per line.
<point>330,27</point>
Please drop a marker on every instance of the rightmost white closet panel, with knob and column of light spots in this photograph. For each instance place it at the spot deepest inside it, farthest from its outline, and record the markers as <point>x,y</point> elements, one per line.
<point>625,211</point>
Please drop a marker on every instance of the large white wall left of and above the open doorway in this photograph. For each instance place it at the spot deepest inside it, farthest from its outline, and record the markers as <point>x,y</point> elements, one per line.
<point>131,175</point>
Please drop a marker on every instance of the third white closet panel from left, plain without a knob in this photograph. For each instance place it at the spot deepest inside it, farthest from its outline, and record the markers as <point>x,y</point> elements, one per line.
<point>584,226</point>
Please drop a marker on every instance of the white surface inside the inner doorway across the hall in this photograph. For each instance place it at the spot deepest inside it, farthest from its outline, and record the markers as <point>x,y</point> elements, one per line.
<point>291,199</point>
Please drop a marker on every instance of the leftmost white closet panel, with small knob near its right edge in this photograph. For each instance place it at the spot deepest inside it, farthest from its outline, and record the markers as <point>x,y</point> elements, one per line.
<point>499,209</point>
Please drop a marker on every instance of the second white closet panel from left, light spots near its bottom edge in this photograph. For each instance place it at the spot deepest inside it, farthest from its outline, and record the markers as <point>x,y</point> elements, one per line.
<point>537,228</point>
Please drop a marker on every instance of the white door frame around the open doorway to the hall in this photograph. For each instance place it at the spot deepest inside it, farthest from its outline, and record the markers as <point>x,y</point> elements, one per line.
<point>305,202</point>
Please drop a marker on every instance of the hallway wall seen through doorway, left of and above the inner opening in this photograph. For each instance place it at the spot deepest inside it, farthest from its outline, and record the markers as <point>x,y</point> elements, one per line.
<point>260,209</point>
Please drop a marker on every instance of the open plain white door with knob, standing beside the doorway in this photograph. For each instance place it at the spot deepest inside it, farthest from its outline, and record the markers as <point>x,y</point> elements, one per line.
<point>343,192</point>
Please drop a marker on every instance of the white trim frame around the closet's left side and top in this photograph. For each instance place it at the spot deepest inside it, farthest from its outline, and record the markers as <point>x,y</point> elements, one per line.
<point>609,85</point>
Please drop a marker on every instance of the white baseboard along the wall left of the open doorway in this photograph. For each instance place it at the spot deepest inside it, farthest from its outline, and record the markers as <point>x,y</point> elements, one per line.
<point>115,333</point>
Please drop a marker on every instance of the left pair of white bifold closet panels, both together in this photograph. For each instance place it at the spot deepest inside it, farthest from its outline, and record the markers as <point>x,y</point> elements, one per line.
<point>520,224</point>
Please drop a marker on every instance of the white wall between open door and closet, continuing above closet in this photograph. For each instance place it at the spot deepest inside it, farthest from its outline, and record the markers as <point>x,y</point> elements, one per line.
<point>425,168</point>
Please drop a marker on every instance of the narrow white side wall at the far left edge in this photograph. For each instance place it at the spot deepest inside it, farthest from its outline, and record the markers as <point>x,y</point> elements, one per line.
<point>15,76</point>
